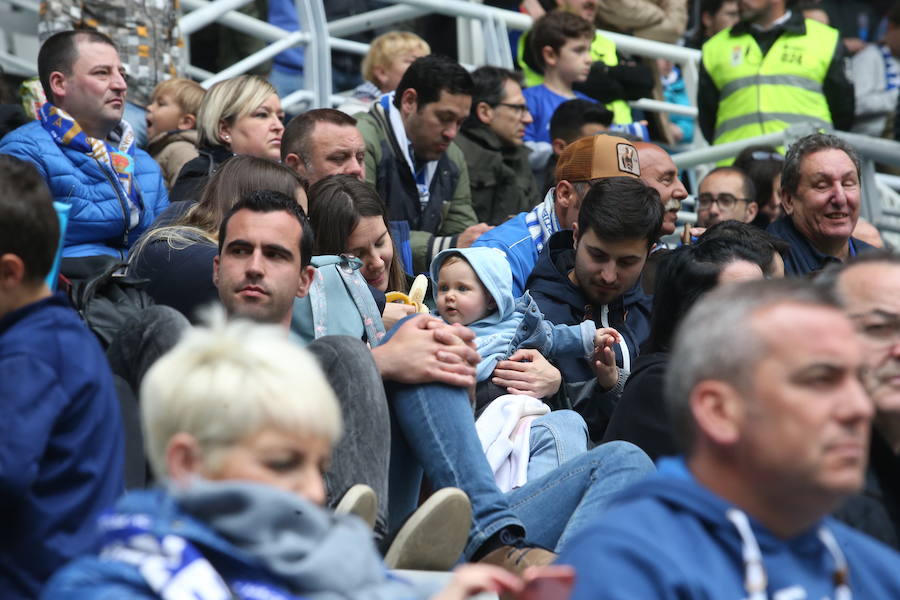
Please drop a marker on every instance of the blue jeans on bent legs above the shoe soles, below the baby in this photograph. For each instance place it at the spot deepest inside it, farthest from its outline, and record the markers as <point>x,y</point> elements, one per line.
<point>433,431</point>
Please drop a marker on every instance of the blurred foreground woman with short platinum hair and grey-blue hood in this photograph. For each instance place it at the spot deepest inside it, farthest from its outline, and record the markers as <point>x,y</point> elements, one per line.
<point>239,425</point>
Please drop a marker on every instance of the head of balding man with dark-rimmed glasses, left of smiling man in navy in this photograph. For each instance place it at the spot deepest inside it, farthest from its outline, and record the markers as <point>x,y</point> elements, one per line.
<point>726,193</point>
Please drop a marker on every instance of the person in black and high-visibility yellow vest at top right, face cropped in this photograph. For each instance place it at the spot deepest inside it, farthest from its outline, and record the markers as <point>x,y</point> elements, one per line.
<point>772,70</point>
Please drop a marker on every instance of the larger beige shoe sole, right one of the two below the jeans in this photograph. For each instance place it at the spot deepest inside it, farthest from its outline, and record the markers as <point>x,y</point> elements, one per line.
<point>433,537</point>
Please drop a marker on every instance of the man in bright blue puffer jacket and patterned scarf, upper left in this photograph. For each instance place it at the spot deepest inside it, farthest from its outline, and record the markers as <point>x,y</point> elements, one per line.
<point>84,150</point>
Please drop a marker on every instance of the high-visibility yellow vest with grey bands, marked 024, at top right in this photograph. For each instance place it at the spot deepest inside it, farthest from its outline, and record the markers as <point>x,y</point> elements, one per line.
<point>765,94</point>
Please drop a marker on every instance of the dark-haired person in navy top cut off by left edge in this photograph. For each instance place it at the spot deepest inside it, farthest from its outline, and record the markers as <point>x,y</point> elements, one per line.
<point>61,442</point>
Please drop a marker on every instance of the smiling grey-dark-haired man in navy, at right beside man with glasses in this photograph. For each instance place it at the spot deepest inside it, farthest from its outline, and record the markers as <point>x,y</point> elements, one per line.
<point>820,194</point>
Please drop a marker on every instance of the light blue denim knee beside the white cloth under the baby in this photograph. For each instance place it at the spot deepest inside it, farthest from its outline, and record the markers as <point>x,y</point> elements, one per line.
<point>555,438</point>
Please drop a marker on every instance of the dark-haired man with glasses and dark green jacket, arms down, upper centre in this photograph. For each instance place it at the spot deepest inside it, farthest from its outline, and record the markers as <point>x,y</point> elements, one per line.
<point>492,142</point>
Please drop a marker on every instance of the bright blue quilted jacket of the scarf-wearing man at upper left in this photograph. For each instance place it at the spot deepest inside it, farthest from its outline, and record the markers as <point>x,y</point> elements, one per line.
<point>97,219</point>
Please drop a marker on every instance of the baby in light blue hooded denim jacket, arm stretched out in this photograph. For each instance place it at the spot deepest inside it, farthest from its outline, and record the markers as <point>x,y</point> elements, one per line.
<point>473,287</point>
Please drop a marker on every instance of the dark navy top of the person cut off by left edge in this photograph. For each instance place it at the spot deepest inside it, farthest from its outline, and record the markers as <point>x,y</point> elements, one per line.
<point>61,446</point>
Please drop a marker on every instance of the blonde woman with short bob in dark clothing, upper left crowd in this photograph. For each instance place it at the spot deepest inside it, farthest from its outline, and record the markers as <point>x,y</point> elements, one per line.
<point>242,116</point>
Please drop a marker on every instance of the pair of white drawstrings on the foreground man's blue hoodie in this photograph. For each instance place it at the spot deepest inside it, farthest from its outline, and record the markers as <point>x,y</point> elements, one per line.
<point>755,580</point>
